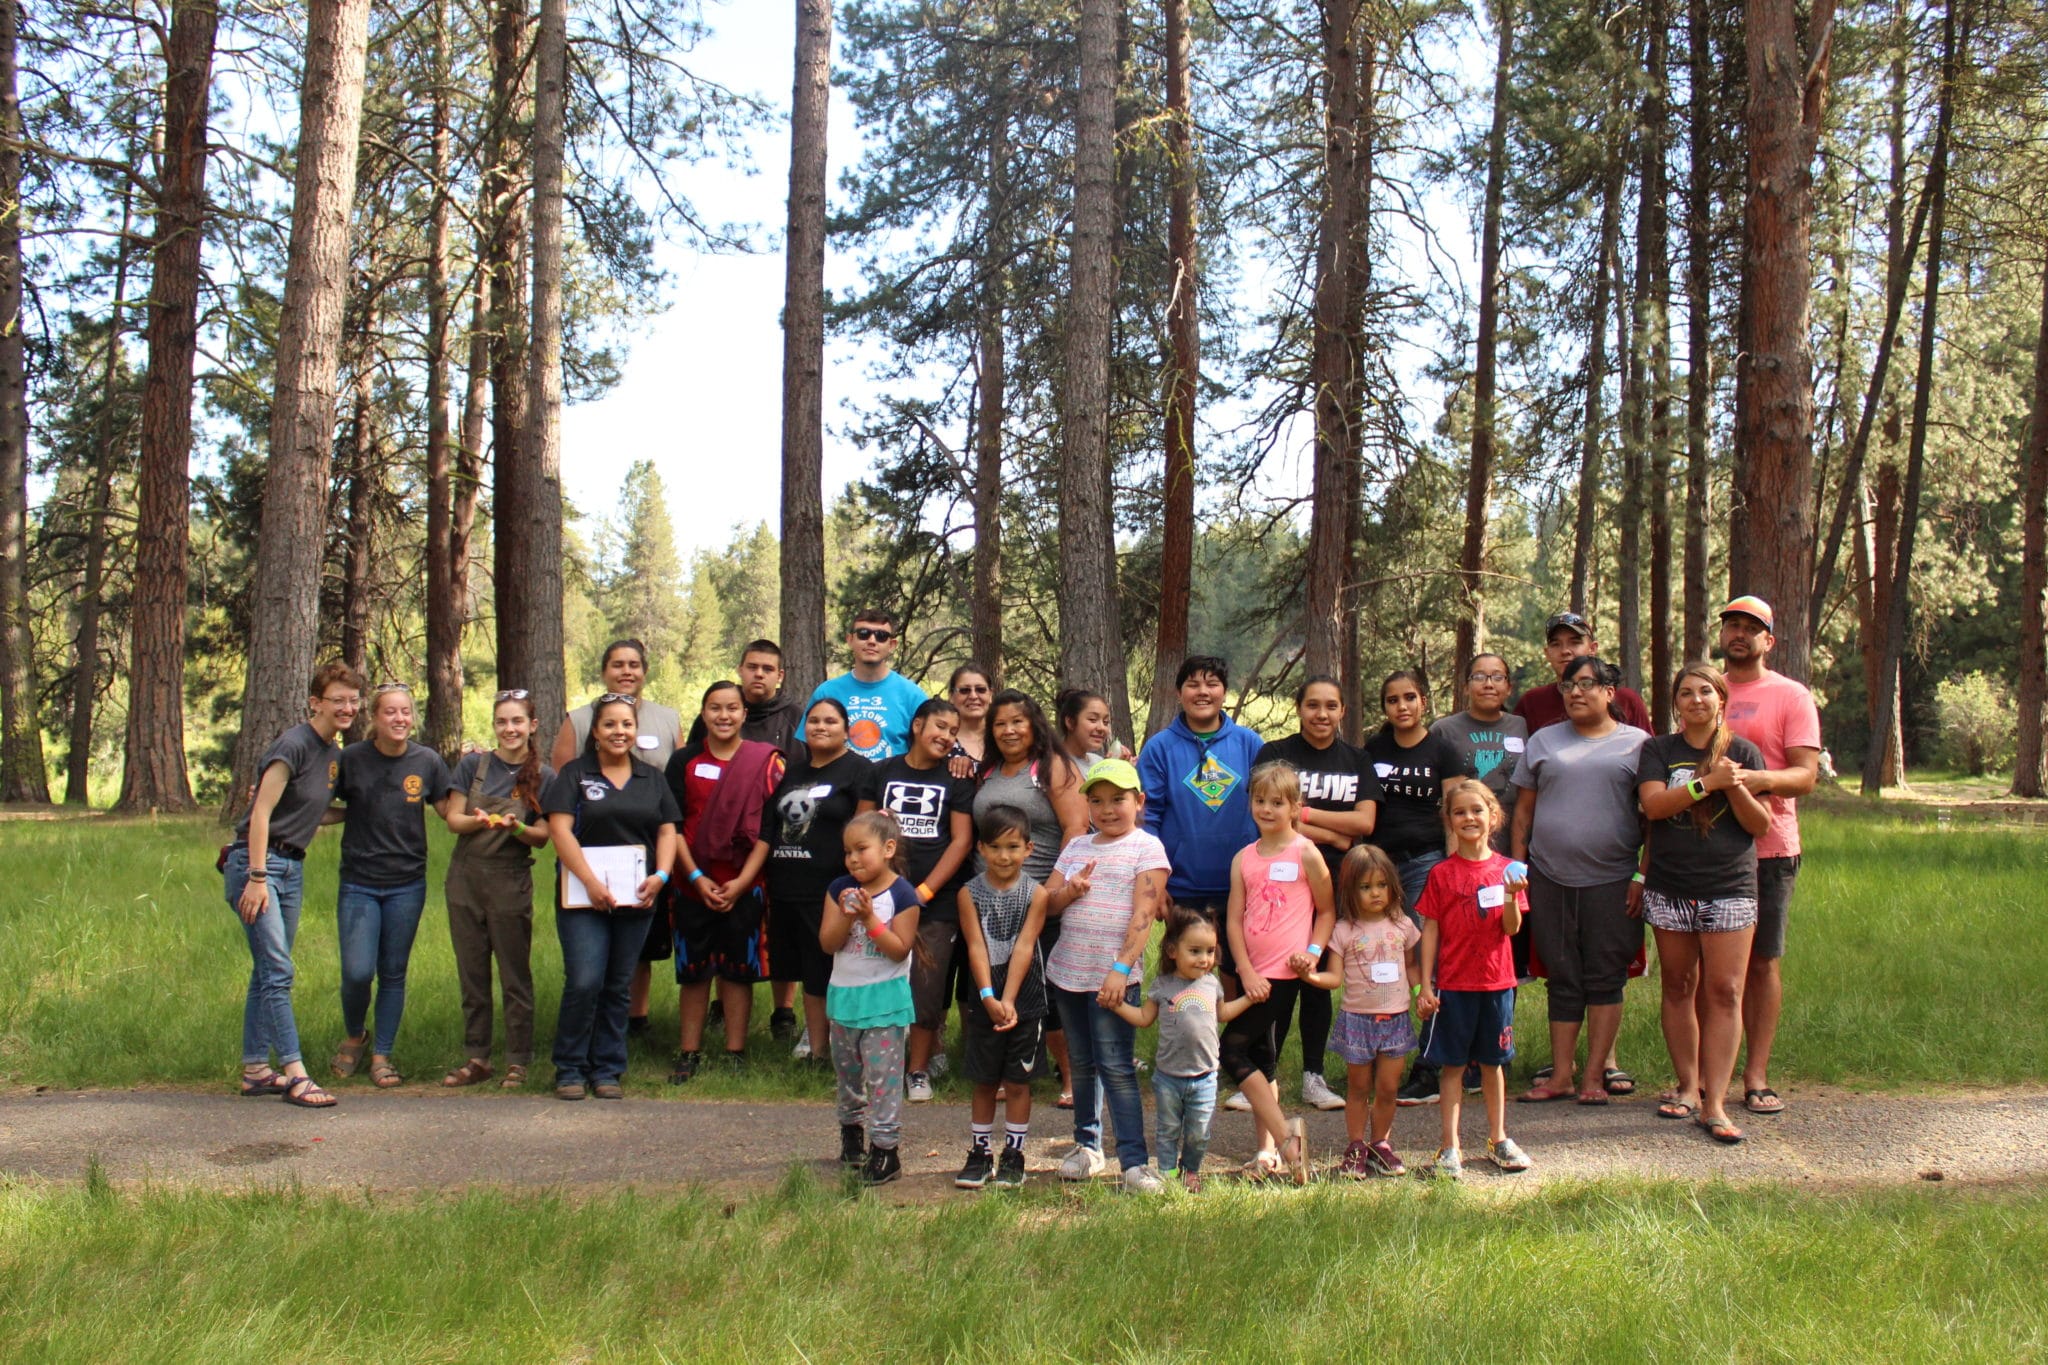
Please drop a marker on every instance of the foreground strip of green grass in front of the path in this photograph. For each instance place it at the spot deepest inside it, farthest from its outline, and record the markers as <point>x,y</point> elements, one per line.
<point>1402,1272</point>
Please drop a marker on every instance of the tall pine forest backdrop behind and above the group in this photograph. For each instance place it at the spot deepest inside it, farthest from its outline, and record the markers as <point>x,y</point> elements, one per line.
<point>1328,337</point>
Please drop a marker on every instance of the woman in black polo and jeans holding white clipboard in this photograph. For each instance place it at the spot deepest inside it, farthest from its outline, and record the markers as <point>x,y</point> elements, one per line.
<point>605,799</point>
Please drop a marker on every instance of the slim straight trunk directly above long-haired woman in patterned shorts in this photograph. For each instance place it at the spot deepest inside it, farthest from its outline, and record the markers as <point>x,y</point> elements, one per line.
<point>1699,324</point>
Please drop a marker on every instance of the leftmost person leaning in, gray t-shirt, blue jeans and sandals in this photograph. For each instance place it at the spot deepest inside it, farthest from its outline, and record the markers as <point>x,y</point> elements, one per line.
<point>265,881</point>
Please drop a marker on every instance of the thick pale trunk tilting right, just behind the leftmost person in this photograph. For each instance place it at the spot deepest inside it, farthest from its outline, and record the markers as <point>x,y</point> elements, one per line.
<point>286,609</point>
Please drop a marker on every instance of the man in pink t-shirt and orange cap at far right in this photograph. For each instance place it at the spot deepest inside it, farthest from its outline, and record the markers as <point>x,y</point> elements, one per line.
<point>1779,717</point>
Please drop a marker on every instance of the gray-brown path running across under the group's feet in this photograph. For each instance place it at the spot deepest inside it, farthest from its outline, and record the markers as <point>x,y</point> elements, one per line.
<point>433,1141</point>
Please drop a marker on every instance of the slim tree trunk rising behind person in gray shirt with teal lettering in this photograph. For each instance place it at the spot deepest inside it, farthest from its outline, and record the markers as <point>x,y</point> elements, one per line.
<point>1480,474</point>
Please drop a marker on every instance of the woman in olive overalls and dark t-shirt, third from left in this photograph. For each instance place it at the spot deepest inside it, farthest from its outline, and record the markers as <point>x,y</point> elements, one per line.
<point>497,820</point>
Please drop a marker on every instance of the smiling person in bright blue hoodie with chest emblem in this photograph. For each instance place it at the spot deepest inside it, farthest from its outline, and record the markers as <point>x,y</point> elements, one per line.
<point>1197,797</point>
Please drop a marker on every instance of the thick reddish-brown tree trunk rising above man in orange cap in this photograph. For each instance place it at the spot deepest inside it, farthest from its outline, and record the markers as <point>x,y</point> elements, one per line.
<point>1775,408</point>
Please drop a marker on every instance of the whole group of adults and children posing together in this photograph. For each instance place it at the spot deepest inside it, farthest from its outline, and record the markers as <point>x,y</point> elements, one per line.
<point>884,852</point>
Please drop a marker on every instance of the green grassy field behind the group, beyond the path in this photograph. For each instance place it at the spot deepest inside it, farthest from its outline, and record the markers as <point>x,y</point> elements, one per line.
<point>1916,959</point>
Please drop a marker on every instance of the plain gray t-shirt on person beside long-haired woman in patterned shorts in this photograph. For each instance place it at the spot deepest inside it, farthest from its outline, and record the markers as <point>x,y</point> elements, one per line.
<point>1588,828</point>
